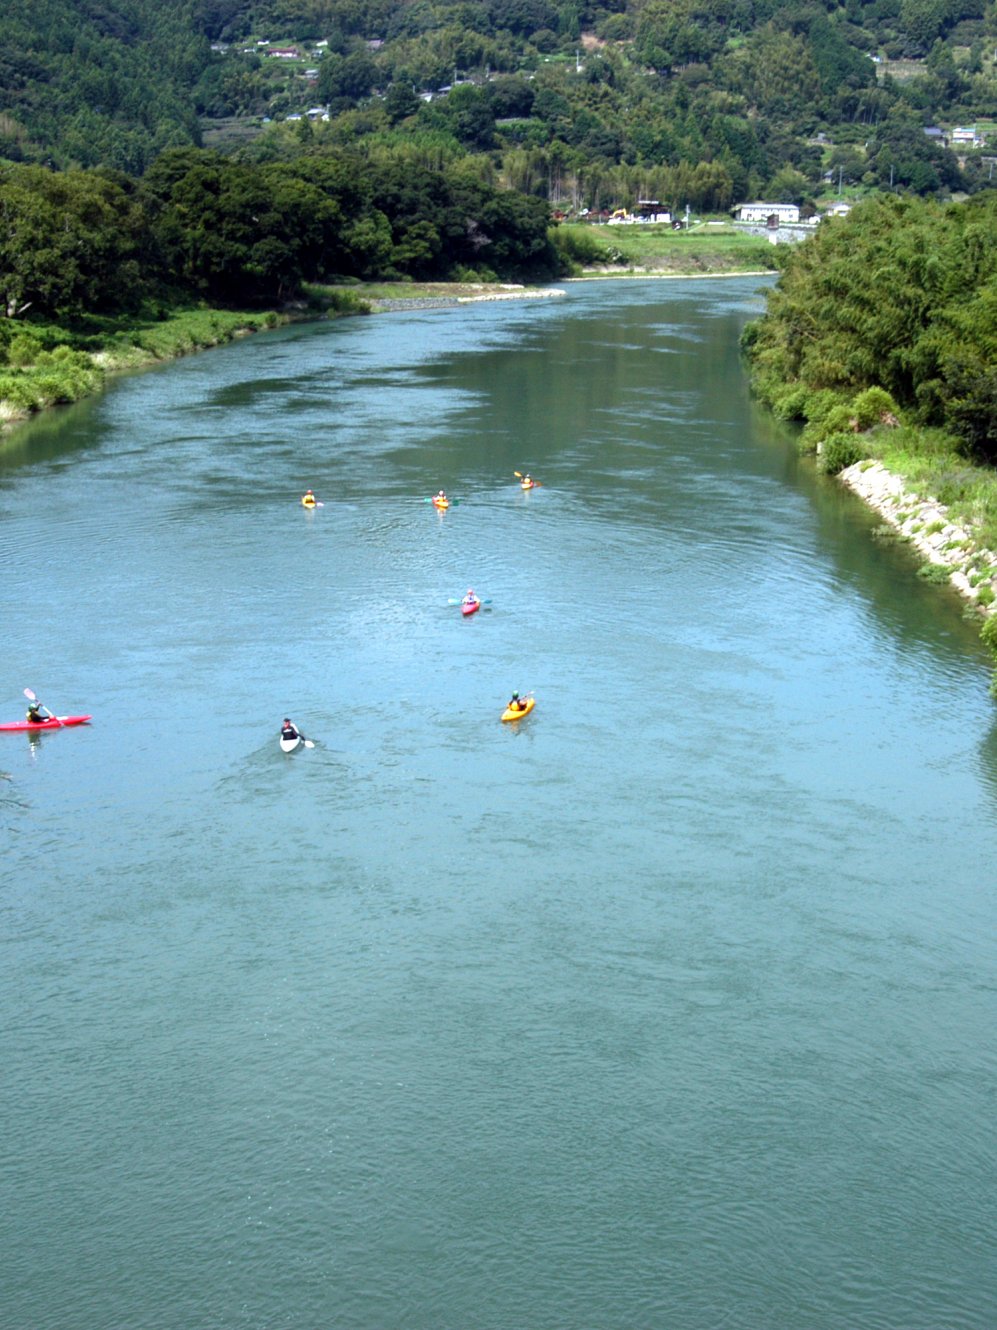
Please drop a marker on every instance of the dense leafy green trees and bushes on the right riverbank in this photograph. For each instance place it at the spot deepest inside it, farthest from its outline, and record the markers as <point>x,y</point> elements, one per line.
<point>898,297</point>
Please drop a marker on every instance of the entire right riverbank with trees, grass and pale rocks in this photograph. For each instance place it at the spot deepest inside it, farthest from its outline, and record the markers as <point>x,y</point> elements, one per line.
<point>881,338</point>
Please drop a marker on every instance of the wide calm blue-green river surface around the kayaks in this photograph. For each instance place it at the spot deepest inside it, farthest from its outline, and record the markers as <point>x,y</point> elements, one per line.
<point>671,1007</point>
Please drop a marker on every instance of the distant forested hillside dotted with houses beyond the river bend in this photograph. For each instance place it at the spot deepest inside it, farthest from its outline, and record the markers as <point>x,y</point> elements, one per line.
<point>701,103</point>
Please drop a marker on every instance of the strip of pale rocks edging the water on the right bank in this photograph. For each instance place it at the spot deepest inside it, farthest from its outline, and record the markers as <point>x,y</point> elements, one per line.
<point>926,525</point>
